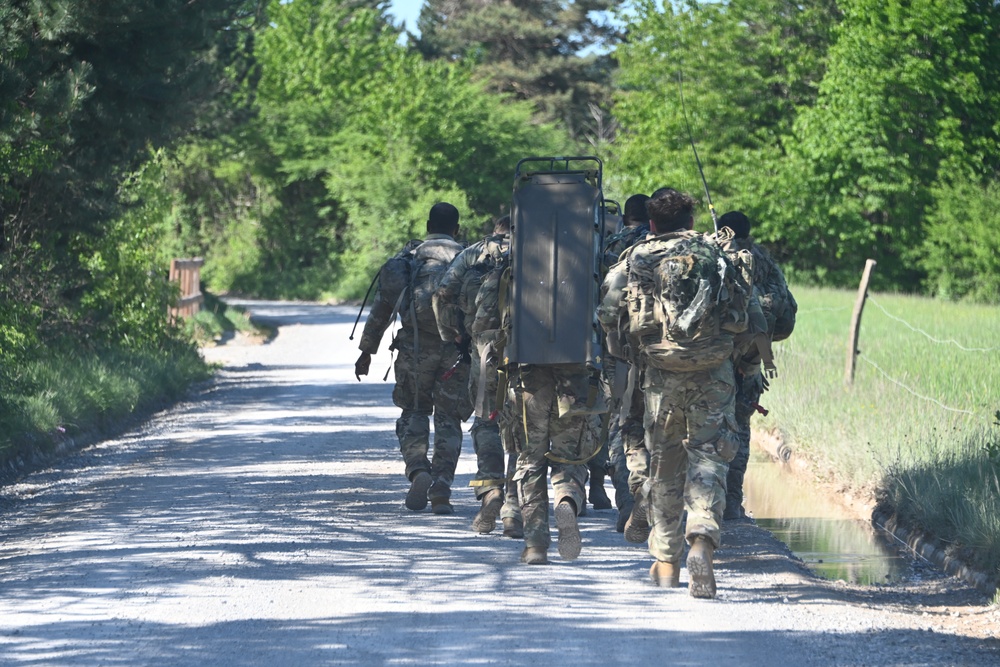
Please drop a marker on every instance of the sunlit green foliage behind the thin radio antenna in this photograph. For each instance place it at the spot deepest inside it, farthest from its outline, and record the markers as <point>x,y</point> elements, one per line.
<point>744,68</point>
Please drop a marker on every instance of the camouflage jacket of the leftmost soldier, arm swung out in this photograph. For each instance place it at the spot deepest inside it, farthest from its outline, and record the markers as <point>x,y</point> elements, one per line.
<point>393,280</point>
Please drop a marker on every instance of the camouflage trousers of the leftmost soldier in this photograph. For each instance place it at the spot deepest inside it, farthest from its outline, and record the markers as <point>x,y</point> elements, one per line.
<point>420,392</point>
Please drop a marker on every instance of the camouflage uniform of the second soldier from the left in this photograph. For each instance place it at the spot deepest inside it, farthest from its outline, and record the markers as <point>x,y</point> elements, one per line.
<point>455,308</point>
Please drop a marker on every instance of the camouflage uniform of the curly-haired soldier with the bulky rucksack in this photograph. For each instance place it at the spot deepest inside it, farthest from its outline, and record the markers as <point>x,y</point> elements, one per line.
<point>689,414</point>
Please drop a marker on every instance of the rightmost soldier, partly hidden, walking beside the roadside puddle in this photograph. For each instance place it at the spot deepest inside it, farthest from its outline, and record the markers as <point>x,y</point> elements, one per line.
<point>779,309</point>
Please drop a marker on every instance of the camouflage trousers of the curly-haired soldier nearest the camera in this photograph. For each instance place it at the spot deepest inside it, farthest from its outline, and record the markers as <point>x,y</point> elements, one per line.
<point>690,434</point>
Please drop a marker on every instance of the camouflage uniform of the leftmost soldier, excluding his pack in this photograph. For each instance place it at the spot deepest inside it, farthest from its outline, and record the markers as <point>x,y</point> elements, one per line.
<point>423,358</point>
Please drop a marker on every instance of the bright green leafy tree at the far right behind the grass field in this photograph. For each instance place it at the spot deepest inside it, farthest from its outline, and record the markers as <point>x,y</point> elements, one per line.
<point>908,105</point>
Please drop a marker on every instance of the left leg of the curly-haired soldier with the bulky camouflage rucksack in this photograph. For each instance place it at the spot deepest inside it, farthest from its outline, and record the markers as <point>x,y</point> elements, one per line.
<point>665,429</point>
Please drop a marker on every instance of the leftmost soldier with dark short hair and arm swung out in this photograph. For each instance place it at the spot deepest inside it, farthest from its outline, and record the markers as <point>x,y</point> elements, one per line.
<point>428,380</point>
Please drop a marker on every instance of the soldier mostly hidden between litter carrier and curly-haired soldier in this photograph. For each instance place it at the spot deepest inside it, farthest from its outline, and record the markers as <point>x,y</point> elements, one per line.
<point>629,460</point>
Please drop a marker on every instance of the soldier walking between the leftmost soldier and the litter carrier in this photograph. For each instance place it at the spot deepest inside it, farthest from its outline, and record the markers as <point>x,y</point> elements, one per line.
<point>455,306</point>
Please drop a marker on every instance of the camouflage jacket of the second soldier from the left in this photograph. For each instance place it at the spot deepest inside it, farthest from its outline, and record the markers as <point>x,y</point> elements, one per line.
<point>455,298</point>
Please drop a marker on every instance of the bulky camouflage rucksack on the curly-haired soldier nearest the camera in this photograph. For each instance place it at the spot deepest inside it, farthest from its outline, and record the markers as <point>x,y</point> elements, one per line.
<point>685,302</point>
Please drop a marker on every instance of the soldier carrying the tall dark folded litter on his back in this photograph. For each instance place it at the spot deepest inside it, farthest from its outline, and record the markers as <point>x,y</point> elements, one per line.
<point>553,347</point>
